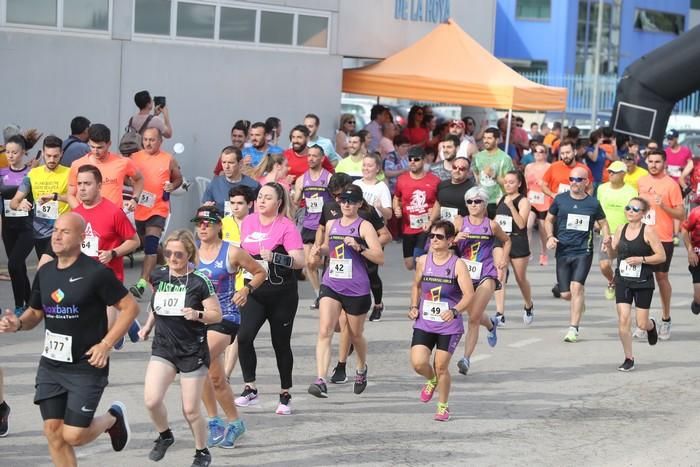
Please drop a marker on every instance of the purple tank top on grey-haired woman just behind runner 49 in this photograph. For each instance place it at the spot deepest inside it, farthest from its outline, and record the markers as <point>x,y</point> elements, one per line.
<point>477,249</point>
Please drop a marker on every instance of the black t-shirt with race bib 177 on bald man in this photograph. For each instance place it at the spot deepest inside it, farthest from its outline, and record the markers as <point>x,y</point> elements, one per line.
<point>74,301</point>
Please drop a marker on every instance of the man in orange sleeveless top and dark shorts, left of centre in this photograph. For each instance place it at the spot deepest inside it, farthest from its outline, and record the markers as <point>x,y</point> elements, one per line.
<point>161,176</point>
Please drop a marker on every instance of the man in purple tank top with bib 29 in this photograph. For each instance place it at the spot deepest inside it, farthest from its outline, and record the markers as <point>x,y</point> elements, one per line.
<point>311,187</point>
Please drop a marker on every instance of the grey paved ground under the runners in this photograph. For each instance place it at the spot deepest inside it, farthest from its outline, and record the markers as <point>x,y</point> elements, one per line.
<point>532,400</point>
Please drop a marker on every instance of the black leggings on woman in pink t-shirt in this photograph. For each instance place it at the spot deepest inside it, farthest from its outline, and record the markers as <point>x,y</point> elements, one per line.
<point>279,308</point>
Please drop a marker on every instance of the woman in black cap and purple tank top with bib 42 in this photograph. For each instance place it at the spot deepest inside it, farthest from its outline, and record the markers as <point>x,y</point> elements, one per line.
<point>345,286</point>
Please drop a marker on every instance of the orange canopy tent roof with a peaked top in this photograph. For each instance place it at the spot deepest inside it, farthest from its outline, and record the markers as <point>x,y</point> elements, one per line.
<point>449,66</point>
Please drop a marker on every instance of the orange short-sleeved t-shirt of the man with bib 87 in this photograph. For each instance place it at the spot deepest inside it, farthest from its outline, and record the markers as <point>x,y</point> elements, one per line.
<point>114,170</point>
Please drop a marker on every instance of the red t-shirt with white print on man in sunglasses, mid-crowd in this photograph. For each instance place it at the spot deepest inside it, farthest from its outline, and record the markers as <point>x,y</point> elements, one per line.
<point>417,197</point>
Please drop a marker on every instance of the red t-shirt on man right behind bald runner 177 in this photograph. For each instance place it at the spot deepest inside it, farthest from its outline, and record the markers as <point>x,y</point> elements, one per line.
<point>110,225</point>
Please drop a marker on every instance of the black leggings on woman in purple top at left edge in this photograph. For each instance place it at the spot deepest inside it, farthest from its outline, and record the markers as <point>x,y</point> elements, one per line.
<point>18,245</point>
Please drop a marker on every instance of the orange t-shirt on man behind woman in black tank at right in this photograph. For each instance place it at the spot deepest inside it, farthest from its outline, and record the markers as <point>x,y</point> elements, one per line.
<point>664,186</point>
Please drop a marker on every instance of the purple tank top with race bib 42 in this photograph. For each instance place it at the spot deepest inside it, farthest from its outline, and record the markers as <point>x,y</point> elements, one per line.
<point>347,271</point>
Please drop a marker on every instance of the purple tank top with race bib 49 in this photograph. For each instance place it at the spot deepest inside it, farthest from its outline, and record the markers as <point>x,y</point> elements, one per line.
<point>439,289</point>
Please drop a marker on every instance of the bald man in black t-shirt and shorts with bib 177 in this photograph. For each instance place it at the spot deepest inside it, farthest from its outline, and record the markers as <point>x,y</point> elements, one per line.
<point>71,295</point>
